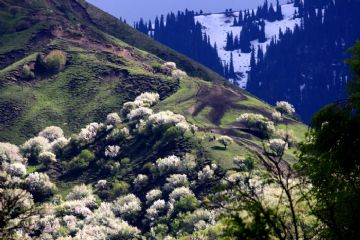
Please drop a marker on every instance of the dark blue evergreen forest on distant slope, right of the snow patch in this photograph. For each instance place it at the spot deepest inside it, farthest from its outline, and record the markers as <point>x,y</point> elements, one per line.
<point>306,66</point>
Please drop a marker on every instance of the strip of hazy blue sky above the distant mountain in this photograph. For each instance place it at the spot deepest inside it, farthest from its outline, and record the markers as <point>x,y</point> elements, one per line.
<point>132,10</point>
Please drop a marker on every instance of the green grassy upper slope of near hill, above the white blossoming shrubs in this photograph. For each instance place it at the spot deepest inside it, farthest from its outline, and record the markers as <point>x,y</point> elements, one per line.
<point>102,72</point>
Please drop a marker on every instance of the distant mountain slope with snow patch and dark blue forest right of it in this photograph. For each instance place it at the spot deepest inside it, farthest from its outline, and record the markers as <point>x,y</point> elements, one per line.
<point>255,45</point>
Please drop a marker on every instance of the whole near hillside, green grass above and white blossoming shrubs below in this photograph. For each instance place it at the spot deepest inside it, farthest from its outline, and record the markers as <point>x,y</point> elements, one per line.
<point>103,137</point>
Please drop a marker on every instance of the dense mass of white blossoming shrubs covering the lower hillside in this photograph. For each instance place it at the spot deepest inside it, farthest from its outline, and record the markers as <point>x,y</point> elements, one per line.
<point>135,195</point>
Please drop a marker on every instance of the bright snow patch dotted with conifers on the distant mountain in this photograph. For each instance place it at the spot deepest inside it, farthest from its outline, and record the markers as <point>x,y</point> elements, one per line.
<point>218,25</point>
